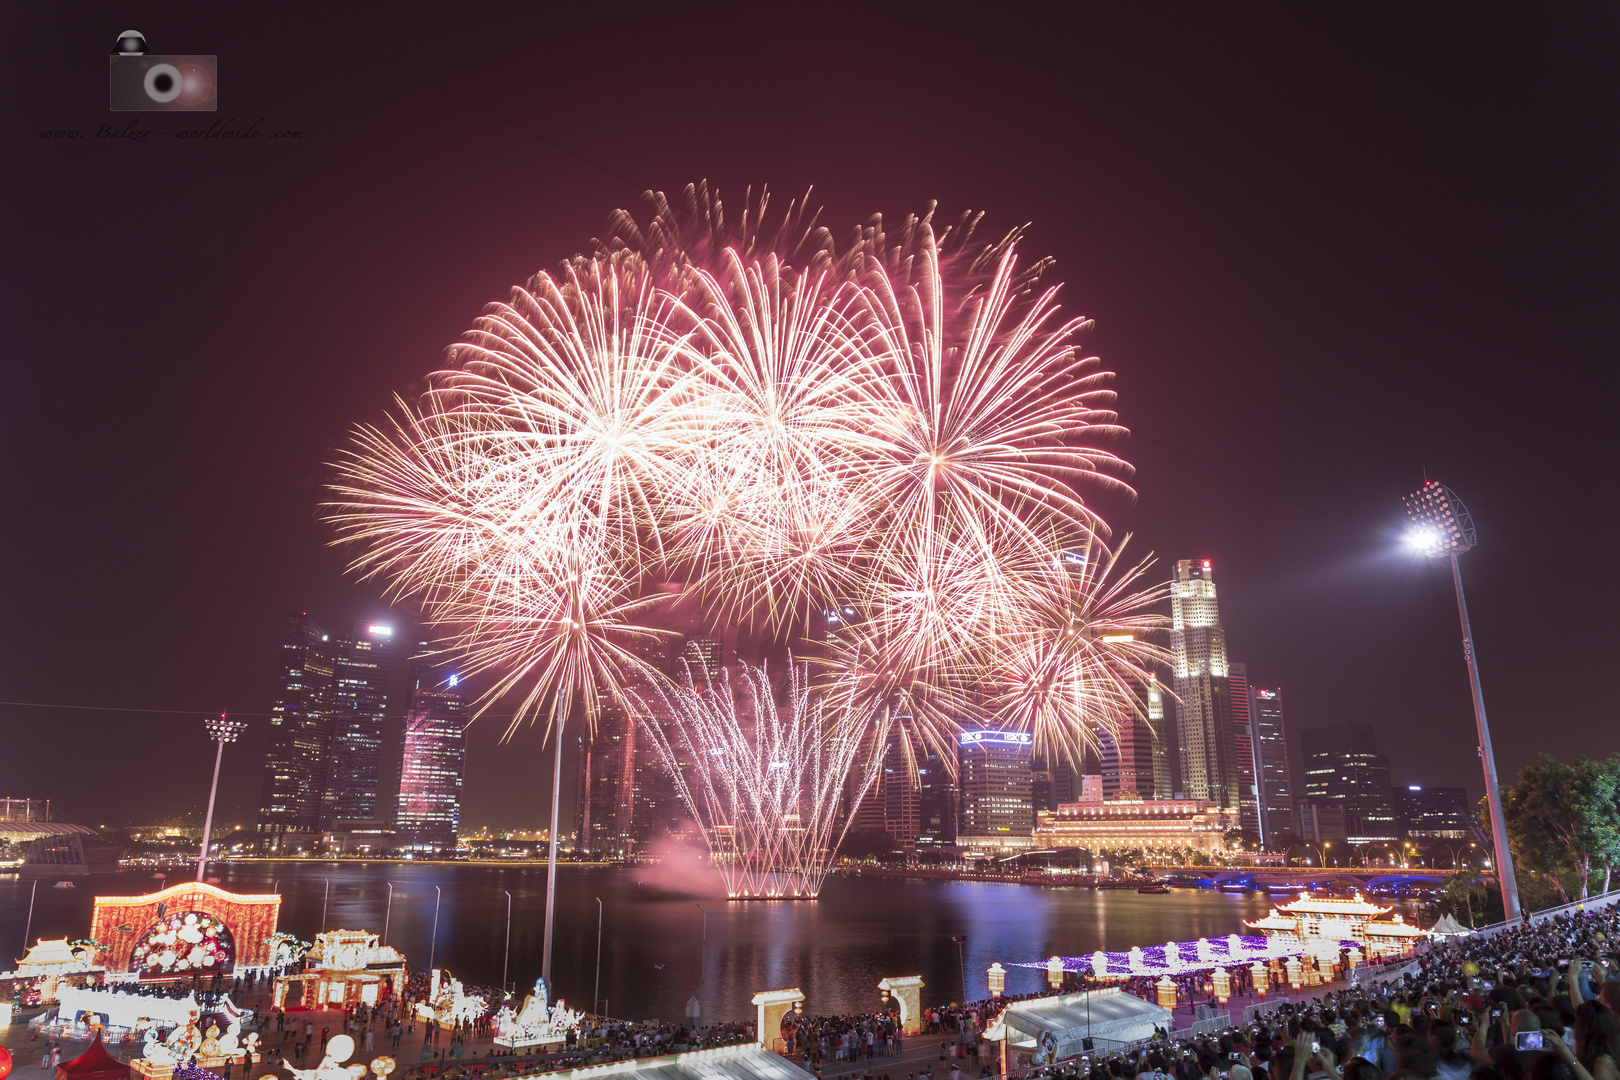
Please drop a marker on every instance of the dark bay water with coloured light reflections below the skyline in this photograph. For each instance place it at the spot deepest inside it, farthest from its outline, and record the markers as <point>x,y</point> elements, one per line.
<point>835,950</point>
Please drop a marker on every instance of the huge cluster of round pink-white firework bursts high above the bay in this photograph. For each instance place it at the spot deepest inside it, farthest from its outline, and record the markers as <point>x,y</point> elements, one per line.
<point>900,427</point>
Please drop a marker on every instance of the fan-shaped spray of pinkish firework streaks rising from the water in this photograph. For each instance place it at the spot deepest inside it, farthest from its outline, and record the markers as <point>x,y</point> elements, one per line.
<point>765,780</point>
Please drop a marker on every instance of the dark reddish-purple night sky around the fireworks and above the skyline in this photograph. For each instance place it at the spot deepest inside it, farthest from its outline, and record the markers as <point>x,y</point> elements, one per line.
<point>1326,252</point>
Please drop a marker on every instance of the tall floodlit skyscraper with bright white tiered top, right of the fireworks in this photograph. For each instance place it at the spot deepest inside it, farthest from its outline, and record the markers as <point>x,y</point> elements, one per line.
<point>1204,729</point>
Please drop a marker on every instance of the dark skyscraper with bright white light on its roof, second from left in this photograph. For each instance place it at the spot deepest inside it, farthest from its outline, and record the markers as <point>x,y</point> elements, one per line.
<point>360,695</point>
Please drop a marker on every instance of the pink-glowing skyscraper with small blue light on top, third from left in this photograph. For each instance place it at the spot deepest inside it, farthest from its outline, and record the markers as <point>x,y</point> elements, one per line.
<point>433,760</point>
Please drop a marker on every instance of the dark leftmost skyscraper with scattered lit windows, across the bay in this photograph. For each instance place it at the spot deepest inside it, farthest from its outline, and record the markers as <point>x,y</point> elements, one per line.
<point>301,733</point>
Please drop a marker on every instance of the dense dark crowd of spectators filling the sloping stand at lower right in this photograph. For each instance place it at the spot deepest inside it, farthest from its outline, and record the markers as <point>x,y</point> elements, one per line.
<point>1535,1003</point>
